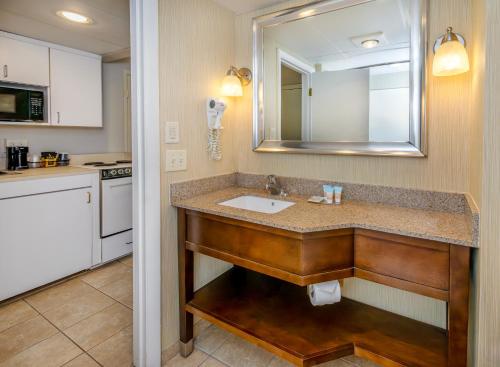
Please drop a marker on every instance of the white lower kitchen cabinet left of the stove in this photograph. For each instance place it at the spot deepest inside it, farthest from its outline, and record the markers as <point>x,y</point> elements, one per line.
<point>44,237</point>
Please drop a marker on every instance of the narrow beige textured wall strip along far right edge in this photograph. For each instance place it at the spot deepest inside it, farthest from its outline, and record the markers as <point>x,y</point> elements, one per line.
<point>488,339</point>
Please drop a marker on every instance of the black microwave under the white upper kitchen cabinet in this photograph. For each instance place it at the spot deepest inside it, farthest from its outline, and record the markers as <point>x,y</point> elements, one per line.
<point>21,104</point>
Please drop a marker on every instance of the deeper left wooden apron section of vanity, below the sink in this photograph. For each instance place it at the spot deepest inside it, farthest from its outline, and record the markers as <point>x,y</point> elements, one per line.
<point>300,258</point>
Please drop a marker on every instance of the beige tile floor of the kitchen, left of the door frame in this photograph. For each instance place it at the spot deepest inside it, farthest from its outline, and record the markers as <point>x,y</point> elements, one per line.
<point>83,322</point>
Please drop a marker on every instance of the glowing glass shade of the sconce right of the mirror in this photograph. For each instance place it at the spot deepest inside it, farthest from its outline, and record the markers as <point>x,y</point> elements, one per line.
<point>450,59</point>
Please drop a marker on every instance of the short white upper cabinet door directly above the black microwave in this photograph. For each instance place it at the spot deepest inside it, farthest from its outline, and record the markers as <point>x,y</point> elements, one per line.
<point>23,62</point>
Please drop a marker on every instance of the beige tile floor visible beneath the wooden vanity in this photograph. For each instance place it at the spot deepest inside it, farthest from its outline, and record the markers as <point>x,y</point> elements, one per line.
<point>215,347</point>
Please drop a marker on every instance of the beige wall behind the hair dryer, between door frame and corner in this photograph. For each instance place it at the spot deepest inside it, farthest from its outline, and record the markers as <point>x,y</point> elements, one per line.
<point>196,49</point>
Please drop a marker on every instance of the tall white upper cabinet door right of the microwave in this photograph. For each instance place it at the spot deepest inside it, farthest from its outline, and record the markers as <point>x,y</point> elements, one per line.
<point>75,89</point>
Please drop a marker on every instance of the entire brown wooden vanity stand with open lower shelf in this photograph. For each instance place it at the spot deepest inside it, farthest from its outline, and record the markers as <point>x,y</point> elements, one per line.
<point>263,298</point>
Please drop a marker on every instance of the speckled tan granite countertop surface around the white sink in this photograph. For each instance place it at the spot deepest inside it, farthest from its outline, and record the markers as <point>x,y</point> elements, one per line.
<point>304,217</point>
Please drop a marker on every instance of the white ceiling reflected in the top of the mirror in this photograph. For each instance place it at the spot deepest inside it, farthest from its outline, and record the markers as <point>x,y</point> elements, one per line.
<point>327,38</point>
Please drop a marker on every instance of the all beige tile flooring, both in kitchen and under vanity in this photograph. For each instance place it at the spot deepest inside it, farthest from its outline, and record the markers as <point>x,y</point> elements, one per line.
<point>87,322</point>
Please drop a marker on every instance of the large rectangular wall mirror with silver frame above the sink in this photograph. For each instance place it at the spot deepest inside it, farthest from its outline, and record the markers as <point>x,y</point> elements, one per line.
<point>342,77</point>
